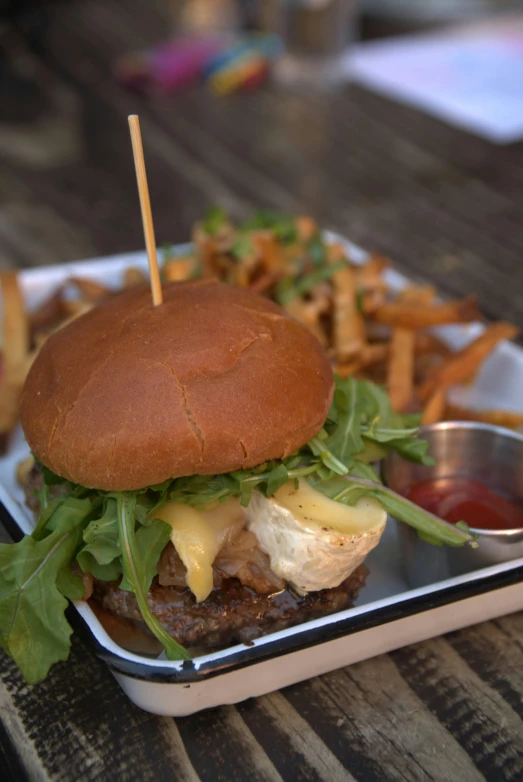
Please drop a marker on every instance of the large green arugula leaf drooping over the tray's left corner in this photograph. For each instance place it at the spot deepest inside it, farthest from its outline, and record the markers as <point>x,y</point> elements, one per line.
<point>33,627</point>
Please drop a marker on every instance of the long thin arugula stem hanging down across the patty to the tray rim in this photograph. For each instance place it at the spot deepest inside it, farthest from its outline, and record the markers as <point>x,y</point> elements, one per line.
<point>135,572</point>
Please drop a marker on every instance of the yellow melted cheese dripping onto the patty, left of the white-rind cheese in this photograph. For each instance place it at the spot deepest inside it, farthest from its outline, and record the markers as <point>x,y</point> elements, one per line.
<point>196,536</point>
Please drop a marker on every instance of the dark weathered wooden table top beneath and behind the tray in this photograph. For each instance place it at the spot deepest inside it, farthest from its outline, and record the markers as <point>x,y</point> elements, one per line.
<point>445,205</point>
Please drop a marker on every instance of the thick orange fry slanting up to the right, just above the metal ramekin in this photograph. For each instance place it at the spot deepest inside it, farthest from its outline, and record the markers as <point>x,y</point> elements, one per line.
<point>460,367</point>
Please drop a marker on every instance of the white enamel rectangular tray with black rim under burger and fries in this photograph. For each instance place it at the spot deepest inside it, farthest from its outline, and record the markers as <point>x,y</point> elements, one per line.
<point>387,615</point>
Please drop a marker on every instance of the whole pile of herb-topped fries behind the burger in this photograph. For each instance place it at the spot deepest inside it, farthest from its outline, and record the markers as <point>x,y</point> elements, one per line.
<point>367,330</point>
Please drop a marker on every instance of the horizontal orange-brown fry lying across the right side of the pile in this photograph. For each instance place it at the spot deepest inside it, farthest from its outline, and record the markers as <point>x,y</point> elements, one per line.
<point>404,315</point>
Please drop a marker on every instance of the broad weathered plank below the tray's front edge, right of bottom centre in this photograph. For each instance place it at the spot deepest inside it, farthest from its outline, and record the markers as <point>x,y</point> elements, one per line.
<point>377,728</point>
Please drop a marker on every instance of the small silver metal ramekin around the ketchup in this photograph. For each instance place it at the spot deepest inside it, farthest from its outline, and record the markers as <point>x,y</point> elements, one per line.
<point>489,454</point>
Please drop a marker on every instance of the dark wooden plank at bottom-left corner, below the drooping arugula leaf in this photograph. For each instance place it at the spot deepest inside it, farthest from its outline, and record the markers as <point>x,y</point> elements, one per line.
<point>78,724</point>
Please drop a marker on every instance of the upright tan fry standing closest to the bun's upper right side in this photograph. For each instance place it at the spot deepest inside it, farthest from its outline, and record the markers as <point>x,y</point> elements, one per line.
<point>348,326</point>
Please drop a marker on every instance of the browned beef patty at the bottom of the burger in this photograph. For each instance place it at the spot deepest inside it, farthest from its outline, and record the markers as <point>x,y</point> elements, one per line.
<point>233,613</point>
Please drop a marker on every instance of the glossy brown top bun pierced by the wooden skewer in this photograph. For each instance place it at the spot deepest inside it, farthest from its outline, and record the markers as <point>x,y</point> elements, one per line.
<point>214,379</point>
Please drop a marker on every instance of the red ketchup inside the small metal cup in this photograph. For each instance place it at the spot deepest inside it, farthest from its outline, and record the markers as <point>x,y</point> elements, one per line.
<point>462,499</point>
